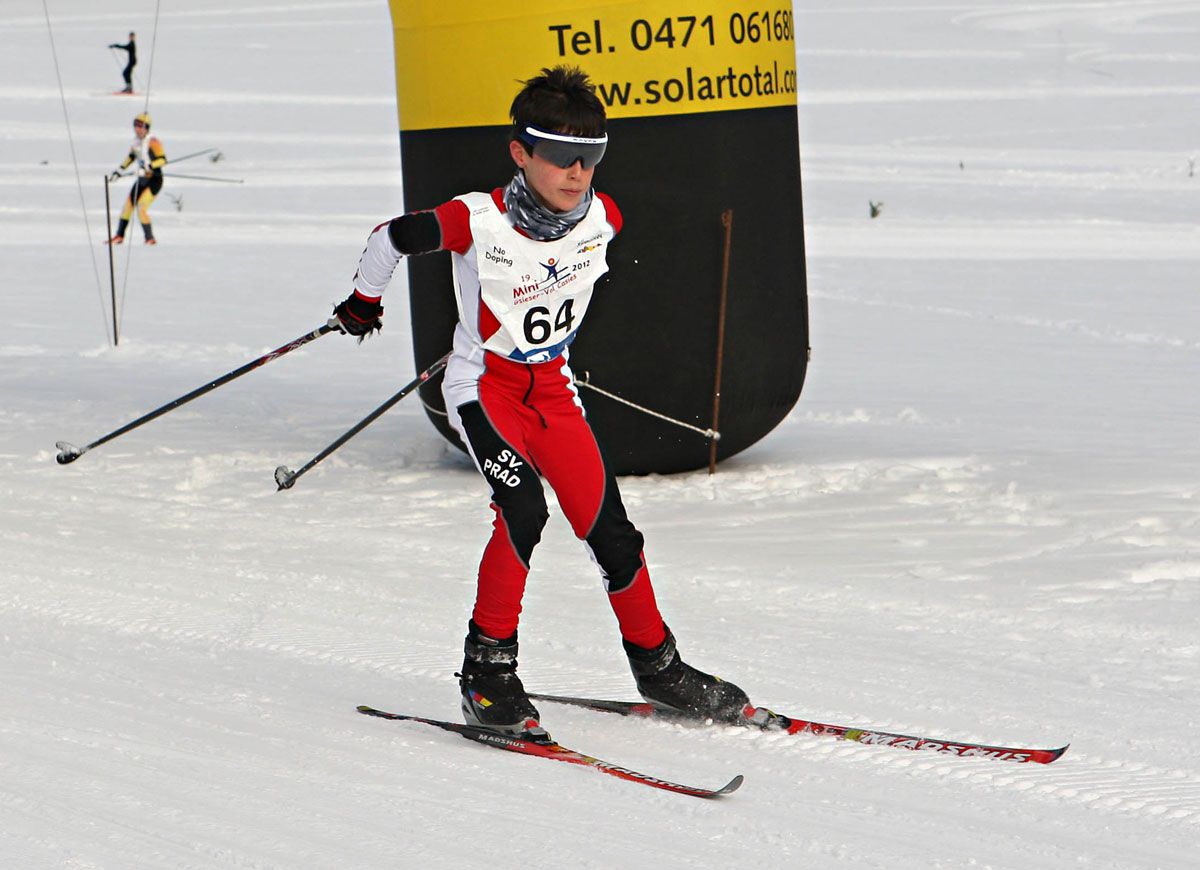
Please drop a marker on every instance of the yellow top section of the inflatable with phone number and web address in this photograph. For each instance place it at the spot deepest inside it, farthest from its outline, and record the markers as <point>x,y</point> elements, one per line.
<point>460,64</point>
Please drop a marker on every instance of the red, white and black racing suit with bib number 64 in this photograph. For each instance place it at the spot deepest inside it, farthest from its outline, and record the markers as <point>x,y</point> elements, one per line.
<point>511,394</point>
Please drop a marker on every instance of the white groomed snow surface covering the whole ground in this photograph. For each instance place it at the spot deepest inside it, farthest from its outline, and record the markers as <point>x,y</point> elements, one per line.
<point>981,521</point>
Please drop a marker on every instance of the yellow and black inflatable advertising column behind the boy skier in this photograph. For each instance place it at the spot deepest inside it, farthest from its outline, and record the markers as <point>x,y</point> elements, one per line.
<point>707,277</point>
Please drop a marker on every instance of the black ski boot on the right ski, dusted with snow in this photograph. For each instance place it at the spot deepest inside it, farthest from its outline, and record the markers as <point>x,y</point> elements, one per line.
<point>668,682</point>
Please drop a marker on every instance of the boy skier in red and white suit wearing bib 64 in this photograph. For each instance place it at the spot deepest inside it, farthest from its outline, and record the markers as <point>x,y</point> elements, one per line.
<point>526,260</point>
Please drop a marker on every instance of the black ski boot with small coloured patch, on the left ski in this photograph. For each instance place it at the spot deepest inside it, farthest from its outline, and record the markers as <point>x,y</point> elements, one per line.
<point>493,694</point>
